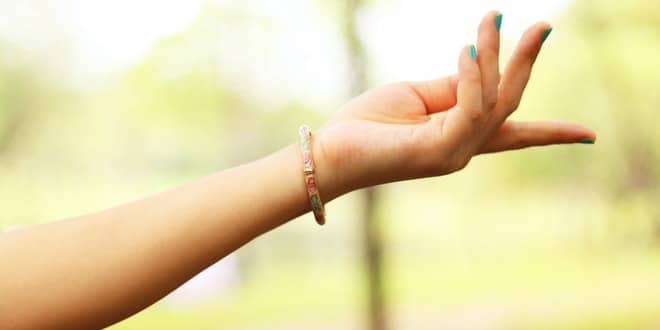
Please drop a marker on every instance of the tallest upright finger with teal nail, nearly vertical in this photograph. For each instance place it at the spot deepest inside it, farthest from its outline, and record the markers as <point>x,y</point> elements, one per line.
<point>488,44</point>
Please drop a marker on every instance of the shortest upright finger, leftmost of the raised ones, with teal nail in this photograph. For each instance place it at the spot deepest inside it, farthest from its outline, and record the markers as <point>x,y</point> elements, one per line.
<point>469,95</point>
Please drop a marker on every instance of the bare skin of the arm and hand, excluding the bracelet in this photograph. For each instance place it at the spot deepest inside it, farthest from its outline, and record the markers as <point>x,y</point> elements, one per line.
<point>95,270</point>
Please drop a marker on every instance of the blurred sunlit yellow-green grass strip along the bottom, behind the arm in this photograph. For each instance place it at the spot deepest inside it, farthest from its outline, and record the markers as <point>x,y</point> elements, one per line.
<point>560,293</point>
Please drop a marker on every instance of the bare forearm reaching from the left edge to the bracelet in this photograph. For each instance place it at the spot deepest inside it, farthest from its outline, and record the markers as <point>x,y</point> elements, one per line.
<point>98,269</point>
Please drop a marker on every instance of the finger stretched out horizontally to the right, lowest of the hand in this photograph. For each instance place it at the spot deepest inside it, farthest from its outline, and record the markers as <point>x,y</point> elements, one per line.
<point>517,135</point>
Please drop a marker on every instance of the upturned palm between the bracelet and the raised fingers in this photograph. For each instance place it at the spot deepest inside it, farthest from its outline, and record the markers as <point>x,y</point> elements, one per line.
<point>379,128</point>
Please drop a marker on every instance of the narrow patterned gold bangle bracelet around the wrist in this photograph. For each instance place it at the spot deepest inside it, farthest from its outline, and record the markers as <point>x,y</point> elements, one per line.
<point>310,179</point>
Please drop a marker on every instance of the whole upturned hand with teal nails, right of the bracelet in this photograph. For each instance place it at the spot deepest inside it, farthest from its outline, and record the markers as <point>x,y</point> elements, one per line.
<point>420,129</point>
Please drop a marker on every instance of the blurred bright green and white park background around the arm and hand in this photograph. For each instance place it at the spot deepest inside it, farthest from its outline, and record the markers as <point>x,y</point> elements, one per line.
<point>103,102</point>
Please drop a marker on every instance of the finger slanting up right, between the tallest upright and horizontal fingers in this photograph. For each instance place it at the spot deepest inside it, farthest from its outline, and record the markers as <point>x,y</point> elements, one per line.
<point>519,68</point>
